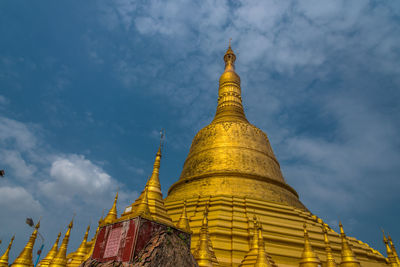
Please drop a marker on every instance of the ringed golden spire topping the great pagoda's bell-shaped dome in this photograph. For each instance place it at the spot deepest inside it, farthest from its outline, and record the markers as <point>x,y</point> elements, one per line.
<point>229,106</point>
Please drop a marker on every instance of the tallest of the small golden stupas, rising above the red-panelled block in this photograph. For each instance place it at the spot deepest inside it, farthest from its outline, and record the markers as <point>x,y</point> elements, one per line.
<point>154,195</point>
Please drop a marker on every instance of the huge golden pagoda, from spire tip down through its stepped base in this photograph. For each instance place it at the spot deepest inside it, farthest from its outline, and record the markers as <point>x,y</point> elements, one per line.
<point>232,169</point>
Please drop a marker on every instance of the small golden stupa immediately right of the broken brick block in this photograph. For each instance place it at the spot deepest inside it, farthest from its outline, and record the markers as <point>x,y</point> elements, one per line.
<point>202,254</point>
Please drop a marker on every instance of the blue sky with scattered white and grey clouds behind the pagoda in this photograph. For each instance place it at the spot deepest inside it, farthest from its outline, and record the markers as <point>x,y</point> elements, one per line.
<point>85,87</point>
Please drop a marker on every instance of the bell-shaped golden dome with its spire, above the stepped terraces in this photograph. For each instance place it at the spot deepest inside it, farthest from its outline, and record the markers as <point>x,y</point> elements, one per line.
<point>231,156</point>
